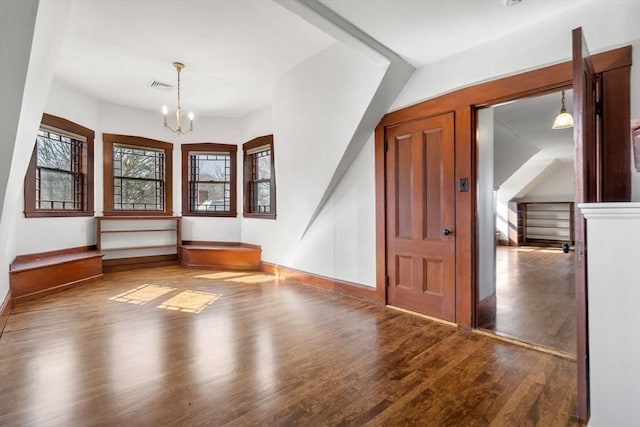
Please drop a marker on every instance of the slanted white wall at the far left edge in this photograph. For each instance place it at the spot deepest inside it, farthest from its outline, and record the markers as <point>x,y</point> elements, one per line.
<point>24,90</point>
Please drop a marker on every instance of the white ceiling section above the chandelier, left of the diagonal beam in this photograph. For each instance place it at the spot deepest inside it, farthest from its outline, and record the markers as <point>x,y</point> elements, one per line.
<point>233,51</point>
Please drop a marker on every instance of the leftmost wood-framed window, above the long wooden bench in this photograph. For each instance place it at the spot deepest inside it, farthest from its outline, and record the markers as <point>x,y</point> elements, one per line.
<point>59,179</point>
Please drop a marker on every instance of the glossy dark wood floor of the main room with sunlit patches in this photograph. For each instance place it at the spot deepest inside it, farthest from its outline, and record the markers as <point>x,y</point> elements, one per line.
<point>172,346</point>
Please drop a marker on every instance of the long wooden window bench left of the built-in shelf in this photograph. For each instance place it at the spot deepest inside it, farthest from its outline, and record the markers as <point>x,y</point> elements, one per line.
<point>39,274</point>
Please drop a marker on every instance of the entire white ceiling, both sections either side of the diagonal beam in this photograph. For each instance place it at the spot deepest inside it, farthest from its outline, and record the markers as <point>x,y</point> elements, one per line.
<point>235,50</point>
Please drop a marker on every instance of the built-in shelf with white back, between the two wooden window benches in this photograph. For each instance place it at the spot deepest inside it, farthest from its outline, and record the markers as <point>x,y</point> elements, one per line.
<point>129,242</point>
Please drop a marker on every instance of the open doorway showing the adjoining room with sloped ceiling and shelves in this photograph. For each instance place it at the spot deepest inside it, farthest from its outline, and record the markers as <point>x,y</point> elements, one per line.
<point>526,287</point>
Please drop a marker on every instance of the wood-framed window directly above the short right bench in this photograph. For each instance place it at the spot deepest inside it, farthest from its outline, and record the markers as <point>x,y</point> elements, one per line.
<point>208,179</point>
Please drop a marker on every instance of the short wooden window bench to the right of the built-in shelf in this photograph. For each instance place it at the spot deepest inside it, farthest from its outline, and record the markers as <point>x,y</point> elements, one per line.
<point>223,255</point>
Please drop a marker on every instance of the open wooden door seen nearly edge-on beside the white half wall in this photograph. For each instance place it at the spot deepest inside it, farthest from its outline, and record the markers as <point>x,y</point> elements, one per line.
<point>586,190</point>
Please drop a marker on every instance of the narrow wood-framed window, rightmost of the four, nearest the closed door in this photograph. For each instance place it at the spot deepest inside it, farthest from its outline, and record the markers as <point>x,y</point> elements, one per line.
<point>259,178</point>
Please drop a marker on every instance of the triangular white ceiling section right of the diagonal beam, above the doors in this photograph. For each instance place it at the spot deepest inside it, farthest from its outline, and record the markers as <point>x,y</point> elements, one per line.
<point>424,31</point>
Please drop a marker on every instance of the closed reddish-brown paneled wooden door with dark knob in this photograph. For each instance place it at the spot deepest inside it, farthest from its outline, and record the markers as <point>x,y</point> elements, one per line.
<point>420,216</point>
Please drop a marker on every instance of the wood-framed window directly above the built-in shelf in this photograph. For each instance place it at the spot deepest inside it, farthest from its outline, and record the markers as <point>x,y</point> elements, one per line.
<point>137,176</point>
